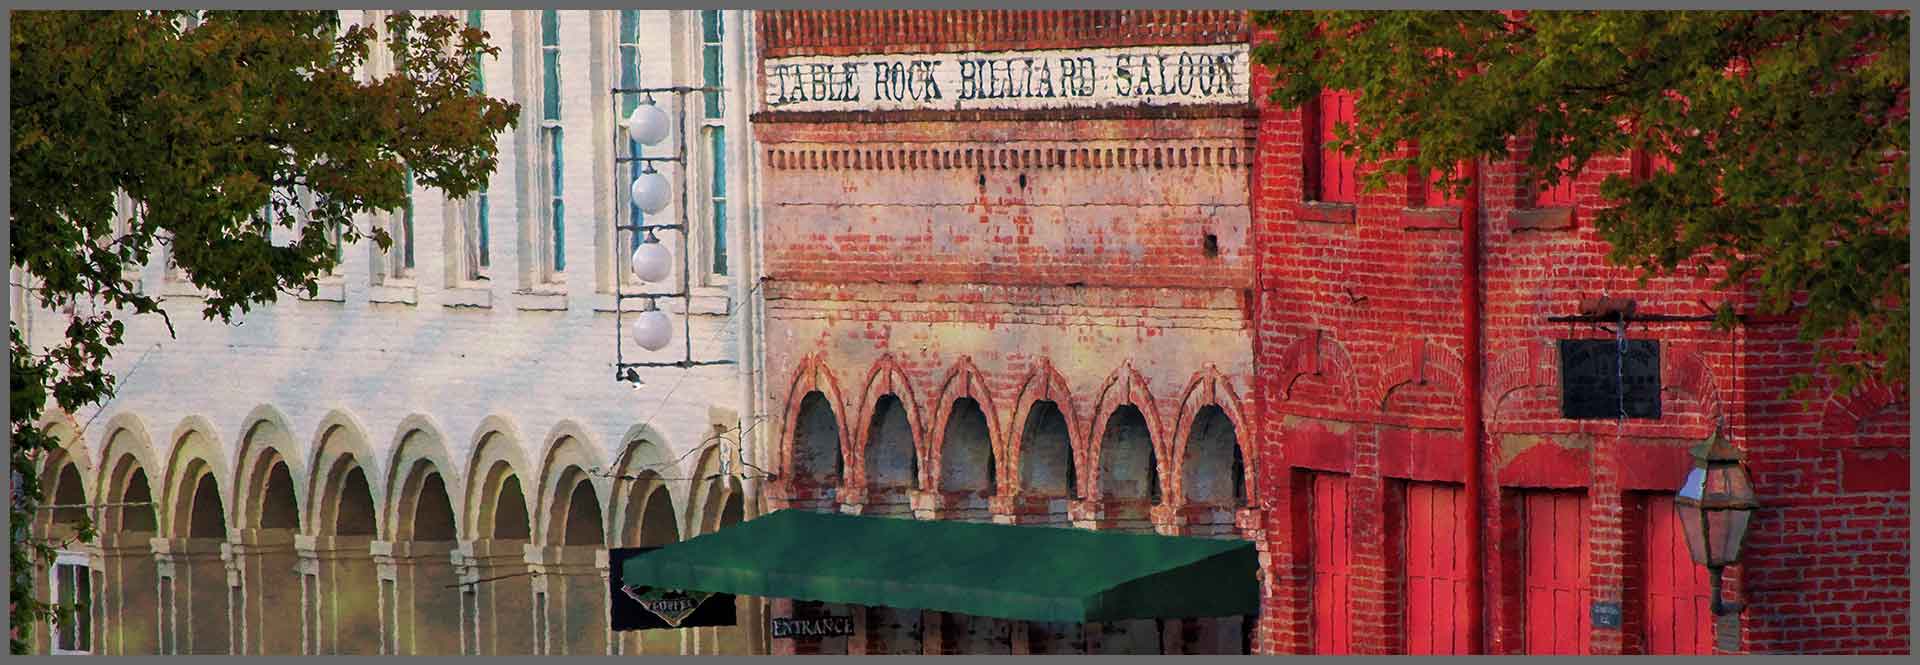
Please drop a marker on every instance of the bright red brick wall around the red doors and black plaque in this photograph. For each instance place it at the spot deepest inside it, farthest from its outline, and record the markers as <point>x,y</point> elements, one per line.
<point>1358,362</point>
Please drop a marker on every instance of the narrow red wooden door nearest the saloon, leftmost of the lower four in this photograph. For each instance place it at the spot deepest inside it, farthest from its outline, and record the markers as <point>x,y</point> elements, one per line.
<point>1333,629</point>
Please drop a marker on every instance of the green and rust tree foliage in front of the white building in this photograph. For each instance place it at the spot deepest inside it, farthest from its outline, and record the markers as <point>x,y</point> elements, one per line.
<point>220,128</point>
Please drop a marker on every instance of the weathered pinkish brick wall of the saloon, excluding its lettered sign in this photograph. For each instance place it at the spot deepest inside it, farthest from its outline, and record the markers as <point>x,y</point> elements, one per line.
<point>1088,257</point>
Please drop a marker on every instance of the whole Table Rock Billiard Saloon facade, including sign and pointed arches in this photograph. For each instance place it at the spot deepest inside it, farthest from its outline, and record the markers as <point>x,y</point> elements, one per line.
<point>1007,276</point>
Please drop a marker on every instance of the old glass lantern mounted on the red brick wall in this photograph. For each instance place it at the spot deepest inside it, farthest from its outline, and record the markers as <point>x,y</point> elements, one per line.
<point>1716,505</point>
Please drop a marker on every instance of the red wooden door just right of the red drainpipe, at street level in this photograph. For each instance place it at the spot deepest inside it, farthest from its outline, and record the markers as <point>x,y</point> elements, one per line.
<point>1556,591</point>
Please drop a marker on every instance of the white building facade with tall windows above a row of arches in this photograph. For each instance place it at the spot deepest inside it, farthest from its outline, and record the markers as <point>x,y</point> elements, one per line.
<point>433,455</point>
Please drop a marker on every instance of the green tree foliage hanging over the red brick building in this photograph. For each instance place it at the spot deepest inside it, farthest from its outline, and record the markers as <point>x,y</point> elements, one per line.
<point>1787,134</point>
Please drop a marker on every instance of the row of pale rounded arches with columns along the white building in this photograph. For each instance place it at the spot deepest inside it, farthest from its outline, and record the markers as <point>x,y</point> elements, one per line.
<point>387,547</point>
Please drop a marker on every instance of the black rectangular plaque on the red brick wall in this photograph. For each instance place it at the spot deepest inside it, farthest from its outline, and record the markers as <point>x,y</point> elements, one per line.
<point>1593,376</point>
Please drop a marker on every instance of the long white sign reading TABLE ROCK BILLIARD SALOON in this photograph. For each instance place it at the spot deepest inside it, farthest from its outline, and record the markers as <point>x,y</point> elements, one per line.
<point>1020,80</point>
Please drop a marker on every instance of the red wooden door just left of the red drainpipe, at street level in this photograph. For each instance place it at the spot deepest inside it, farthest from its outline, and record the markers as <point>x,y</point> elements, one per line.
<point>1435,570</point>
